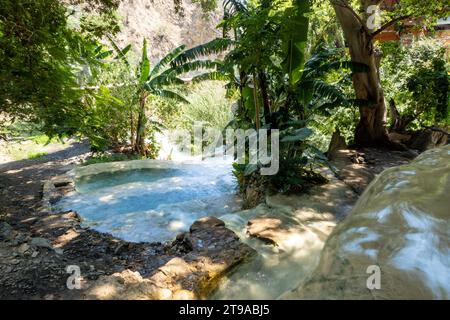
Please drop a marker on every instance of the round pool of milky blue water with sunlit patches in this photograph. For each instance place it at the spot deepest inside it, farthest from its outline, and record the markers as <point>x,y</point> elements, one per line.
<point>153,205</point>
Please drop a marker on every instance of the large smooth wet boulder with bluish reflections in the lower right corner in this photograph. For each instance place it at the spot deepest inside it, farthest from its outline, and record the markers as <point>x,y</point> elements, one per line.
<point>398,233</point>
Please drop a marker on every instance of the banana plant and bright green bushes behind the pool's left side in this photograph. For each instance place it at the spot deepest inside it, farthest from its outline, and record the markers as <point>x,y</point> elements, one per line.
<point>135,98</point>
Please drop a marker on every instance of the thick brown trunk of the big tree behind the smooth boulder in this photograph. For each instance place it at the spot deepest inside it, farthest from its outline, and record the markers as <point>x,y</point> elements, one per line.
<point>371,129</point>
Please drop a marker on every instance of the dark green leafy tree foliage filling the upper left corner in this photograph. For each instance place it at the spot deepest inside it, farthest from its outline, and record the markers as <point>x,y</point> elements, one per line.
<point>38,51</point>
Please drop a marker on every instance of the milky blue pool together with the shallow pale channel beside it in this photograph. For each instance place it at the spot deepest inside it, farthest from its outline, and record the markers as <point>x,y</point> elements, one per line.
<point>154,200</point>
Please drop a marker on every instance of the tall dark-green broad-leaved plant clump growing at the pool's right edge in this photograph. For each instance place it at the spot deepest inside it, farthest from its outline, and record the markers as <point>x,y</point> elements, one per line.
<point>278,90</point>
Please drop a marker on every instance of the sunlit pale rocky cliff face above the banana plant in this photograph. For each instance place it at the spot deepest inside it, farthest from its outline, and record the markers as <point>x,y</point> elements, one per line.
<point>165,29</point>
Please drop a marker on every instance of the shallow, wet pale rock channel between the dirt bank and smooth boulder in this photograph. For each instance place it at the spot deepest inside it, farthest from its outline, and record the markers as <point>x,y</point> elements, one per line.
<point>289,232</point>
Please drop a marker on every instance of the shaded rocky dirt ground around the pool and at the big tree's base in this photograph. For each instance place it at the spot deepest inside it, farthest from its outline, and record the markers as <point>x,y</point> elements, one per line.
<point>36,246</point>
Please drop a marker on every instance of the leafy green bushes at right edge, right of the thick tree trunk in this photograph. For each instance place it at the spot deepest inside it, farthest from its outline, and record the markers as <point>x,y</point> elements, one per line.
<point>416,78</point>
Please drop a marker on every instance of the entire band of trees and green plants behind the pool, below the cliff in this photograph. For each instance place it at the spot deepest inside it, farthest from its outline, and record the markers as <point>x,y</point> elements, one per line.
<point>304,67</point>
